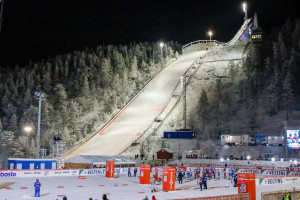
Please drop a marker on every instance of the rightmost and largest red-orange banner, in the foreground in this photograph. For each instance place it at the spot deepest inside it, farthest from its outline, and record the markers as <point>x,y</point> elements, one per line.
<point>246,184</point>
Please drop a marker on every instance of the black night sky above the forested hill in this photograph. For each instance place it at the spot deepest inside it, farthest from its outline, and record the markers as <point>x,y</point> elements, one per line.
<point>37,29</point>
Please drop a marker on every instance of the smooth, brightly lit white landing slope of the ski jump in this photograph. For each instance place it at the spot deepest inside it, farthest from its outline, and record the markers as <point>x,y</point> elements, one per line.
<point>130,123</point>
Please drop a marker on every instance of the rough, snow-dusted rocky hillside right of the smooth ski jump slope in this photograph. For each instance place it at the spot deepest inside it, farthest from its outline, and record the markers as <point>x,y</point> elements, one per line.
<point>213,65</point>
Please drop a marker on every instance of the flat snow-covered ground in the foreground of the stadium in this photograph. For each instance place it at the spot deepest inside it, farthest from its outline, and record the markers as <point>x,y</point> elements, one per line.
<point>118,188</point>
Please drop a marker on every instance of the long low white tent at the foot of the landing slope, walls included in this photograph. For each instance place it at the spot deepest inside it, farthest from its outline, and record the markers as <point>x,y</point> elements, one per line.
<point>86,161</point>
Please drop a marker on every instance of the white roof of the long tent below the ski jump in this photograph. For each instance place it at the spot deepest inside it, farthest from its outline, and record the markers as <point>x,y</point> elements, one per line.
<point>99,160</point>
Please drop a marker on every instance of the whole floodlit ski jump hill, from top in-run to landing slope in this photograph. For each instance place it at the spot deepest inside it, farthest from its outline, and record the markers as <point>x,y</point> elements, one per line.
<point>134,123</point>
